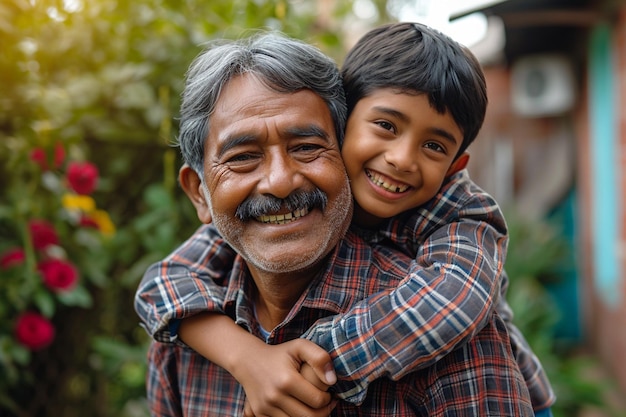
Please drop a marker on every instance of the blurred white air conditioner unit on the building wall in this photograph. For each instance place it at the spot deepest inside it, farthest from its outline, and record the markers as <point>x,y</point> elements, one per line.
<point>542,85</point>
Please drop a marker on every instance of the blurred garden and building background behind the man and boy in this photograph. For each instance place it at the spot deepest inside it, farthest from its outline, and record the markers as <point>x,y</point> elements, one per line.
<point>89,94</point>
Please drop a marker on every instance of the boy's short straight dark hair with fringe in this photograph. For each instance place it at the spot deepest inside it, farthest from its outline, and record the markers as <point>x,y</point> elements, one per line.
<point>414,58</point>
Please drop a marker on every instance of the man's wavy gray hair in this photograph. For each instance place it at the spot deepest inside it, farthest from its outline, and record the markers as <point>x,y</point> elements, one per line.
<point>284,64</point>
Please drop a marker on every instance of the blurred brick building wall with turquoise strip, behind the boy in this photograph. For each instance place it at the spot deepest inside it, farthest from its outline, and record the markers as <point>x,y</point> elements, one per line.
<point>536,162</point>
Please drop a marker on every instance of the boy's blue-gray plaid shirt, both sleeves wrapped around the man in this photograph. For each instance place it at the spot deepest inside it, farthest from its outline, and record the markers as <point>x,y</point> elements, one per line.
<point>459,244</point>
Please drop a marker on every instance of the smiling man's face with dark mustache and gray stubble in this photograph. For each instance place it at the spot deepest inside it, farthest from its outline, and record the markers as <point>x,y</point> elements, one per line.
<point>267,145</point>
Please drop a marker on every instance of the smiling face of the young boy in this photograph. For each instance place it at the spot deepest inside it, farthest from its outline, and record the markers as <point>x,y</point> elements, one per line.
<point>398,150</point>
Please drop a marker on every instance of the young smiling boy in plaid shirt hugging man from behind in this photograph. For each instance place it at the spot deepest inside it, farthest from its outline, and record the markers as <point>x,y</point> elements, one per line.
<point>416,100</point>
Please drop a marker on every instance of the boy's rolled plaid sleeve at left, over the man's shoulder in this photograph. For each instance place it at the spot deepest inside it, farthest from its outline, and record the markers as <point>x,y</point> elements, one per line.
<point>189,281</point>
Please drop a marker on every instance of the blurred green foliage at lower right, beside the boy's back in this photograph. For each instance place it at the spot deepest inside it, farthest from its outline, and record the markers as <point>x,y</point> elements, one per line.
<point>537,253</point>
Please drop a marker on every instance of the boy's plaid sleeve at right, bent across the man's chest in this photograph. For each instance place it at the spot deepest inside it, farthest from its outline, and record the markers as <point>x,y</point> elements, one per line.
<point>446,299</point>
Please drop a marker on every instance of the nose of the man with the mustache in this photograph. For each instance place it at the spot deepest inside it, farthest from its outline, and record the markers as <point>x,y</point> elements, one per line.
<point>282,175</point>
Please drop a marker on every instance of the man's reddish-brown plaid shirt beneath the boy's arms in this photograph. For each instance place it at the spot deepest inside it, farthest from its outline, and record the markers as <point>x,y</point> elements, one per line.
<point>478,378</point>
